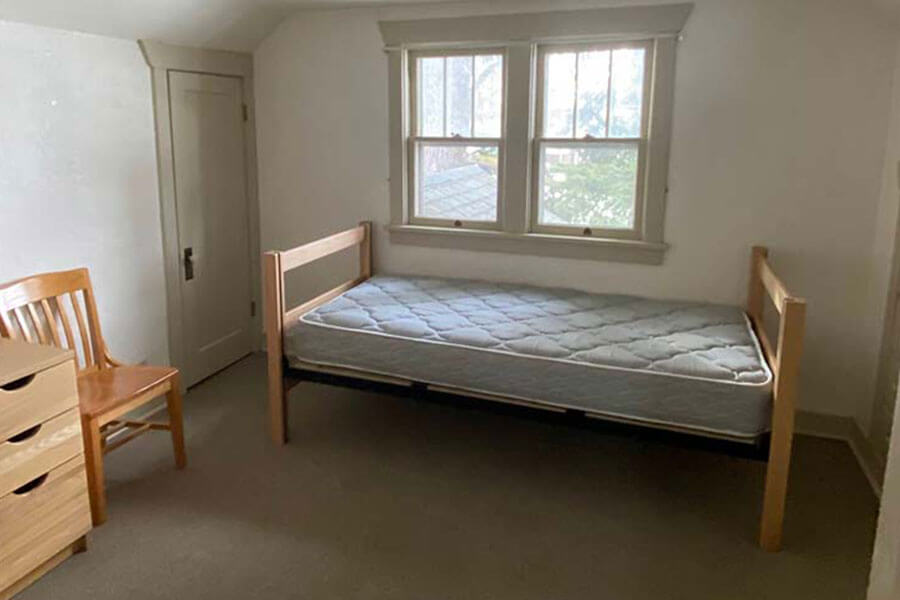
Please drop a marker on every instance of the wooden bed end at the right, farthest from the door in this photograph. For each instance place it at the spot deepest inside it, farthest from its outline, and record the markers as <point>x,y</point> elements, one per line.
<point>784,359</point>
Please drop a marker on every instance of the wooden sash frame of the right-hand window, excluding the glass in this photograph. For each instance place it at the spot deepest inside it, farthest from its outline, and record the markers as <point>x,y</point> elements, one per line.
<point>539,141</point>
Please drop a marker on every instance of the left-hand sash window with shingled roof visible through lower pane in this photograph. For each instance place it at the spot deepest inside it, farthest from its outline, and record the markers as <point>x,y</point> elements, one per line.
<point>456,144</point>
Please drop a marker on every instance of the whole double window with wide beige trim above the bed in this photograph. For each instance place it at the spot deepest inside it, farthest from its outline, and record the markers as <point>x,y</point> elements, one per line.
<point>507,135</point>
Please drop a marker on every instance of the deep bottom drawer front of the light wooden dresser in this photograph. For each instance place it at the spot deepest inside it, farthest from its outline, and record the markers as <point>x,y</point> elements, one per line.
<point>37,523</point>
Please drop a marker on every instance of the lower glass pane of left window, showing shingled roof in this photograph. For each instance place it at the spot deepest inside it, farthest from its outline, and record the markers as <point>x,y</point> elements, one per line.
<point>456,182</point>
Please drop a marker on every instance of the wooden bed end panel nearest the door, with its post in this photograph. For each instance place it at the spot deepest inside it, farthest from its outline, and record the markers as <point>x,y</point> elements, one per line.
<point>275,265</point>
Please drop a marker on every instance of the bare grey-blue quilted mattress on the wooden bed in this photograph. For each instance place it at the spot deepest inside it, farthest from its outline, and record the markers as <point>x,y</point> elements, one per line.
<point>672,364</point>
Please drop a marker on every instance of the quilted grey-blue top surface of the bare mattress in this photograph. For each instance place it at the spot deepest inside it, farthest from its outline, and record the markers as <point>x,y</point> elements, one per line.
<point>687,339</point>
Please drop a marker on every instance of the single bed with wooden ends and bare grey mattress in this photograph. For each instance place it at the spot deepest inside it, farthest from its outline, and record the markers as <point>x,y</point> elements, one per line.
<point>692,367</point>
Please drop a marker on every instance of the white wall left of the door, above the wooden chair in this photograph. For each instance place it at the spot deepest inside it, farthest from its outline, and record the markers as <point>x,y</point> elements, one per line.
<point>78,176</point>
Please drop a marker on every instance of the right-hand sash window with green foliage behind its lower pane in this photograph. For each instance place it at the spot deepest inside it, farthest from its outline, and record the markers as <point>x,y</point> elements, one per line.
<point>591,140</point>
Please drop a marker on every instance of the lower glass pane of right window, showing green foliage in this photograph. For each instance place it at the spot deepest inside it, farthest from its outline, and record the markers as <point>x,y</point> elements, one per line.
<point>588,185</point>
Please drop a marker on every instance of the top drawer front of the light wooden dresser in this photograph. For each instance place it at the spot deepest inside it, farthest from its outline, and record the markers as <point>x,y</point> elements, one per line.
<point>35,399</point>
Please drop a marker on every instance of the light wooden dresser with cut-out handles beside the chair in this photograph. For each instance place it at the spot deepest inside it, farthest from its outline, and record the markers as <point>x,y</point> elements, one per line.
<point>44,510</point>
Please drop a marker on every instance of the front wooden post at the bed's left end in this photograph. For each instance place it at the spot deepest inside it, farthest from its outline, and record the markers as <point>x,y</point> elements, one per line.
<point>273,296</point>
